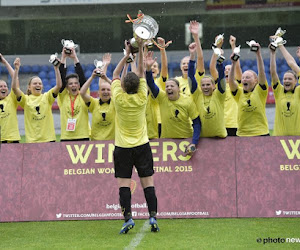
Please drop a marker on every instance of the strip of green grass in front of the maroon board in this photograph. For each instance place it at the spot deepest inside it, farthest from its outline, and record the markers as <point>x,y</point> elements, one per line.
<point>234,233</point>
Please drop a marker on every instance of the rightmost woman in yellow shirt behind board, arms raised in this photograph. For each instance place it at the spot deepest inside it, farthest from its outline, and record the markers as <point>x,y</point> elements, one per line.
<point>287,98</point>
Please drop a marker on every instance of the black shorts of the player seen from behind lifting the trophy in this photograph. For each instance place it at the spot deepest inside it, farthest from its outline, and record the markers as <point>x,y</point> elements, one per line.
<point>126,158</point>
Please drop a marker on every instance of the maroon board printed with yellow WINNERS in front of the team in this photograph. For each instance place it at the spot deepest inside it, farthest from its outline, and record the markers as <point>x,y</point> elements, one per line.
<point>232,177</point>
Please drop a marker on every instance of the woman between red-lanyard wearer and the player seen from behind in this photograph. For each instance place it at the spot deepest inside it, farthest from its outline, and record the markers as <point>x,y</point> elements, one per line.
<point>103,111</point>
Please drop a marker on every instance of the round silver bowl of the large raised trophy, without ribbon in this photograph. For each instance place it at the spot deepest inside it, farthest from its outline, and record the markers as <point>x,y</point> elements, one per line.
<point>146,28</point>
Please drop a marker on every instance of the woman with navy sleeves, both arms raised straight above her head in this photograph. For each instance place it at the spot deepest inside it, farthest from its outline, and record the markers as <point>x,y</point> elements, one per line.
<point>209,101</point>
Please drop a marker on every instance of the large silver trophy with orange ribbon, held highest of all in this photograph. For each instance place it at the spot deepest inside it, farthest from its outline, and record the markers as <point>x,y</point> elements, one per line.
<point>144,27</point>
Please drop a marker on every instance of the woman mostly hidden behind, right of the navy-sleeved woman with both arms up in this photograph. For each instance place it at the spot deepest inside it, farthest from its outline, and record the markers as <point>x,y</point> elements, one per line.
<point>230,105</point>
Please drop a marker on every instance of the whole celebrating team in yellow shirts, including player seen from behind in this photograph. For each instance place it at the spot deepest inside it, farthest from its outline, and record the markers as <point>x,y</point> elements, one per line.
<point>141,102</point>
